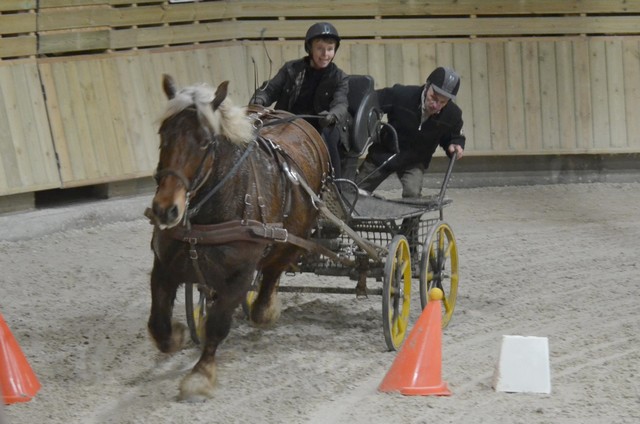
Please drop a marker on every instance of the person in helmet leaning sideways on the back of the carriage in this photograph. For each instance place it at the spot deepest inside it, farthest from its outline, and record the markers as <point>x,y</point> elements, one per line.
<point>424,118</point>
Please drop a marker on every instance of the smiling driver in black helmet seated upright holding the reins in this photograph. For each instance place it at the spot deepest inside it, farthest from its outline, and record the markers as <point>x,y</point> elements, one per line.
<point>314,85</point>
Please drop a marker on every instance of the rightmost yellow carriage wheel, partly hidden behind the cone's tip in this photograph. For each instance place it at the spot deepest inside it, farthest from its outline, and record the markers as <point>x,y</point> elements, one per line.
<point>439,268</point>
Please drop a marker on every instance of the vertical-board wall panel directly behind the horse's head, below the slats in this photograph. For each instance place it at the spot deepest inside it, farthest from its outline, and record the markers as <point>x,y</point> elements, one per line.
<point>104,110</point>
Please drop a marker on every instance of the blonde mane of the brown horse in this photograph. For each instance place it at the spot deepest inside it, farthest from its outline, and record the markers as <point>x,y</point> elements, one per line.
<point>228,120</point>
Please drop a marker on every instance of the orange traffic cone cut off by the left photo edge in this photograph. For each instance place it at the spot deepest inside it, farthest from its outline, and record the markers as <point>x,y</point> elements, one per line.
<point>19,383</point>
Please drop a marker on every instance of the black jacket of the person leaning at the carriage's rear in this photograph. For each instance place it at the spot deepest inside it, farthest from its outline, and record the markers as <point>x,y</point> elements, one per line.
<point>417,140</point>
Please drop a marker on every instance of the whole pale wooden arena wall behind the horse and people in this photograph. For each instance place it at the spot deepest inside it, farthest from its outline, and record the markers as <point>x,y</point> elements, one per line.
<point>80,79</point>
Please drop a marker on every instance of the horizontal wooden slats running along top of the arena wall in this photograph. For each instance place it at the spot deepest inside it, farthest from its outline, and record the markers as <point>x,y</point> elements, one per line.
<point>78,26</point>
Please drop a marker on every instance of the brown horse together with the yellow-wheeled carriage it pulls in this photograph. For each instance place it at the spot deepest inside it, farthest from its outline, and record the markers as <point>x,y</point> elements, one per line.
<point>231,217</point>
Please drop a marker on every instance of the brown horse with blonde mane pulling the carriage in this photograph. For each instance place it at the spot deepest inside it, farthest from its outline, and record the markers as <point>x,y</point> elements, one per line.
<point>228,202</point>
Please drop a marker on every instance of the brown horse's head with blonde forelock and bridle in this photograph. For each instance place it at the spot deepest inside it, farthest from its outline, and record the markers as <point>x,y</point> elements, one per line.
<point>195,120</point>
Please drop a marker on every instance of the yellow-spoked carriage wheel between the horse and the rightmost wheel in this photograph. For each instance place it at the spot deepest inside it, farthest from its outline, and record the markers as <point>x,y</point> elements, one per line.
<point>396,292</point>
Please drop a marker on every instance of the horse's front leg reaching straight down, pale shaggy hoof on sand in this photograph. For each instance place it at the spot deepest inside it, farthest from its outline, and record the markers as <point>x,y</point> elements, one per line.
<point>199,384</point>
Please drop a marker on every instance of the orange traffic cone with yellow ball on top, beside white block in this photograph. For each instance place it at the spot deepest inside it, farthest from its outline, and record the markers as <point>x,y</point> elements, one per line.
<point>417,367</point>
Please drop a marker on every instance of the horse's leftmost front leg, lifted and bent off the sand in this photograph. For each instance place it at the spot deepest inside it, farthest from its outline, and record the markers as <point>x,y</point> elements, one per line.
<point>169,336</point>
